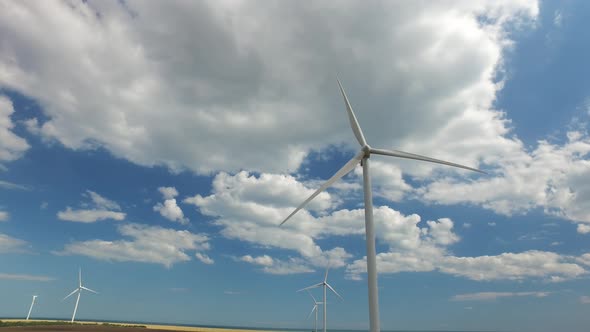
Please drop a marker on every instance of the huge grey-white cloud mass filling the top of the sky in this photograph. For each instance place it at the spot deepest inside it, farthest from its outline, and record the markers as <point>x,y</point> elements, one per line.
<point>258,109</point>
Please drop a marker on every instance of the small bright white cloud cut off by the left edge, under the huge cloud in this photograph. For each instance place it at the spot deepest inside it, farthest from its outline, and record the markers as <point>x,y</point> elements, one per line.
<point>12,146</point>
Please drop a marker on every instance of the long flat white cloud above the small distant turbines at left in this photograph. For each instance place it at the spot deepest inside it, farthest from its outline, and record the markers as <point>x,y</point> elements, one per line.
<point>148,244</point>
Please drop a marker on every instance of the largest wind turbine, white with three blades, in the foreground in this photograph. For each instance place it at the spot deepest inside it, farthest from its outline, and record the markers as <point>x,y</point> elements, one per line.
<point>363,158</point>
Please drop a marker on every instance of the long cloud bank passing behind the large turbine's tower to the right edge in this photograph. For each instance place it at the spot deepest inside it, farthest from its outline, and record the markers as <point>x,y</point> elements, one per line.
<point>414,245</point>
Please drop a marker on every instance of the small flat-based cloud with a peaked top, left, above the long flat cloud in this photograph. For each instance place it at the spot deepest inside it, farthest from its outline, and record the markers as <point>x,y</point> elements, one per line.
<point>99,208</point>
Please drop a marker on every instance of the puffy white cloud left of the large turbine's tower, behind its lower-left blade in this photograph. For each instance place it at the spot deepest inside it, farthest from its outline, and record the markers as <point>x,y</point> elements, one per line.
<point>249,208</point>
